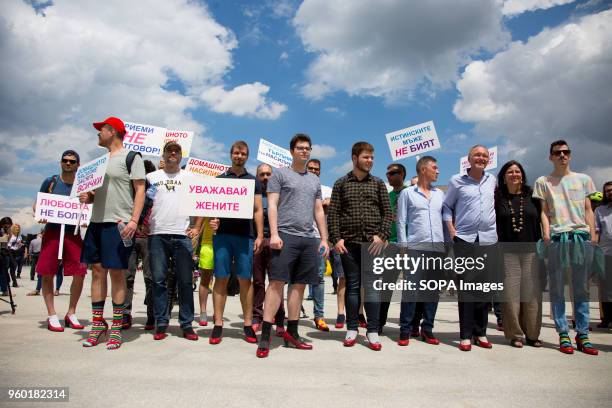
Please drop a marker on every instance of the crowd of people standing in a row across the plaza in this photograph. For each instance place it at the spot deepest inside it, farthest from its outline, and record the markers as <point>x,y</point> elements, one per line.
<point>295,231</point>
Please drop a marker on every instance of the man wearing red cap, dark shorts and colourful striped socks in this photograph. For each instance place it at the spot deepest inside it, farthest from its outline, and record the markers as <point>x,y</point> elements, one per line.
<point>117,204</point>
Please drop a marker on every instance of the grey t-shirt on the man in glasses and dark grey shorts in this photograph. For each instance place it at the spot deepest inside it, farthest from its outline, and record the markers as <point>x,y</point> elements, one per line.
<point>298,194</point>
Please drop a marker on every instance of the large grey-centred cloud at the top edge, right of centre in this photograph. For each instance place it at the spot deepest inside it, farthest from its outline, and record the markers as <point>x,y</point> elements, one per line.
<point>389,49</point>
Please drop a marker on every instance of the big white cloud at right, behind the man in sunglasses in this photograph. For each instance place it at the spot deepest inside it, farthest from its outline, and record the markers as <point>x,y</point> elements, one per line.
<point>556,85</point>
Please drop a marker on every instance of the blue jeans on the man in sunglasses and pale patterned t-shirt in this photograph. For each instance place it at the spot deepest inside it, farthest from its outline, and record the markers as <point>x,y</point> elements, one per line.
<point>579,275</point>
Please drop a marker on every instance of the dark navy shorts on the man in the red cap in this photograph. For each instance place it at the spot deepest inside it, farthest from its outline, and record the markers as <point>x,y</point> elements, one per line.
<point>103,245</point>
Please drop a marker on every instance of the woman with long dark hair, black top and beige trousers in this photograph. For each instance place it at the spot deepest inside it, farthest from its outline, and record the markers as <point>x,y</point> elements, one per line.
<point>518,229</point>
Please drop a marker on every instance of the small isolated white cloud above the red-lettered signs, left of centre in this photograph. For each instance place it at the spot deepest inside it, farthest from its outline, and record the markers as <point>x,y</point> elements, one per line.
<point>244,100</point>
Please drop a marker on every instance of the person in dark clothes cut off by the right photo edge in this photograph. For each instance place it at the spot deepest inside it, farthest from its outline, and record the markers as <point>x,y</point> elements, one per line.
<point>603,227</point>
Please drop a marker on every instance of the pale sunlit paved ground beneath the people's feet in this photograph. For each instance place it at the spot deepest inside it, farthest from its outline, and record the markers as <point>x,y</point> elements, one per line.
<point>176,372</point>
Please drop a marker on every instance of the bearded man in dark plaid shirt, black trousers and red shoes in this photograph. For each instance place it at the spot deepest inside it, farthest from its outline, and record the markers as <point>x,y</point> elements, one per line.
<point>359,212</point>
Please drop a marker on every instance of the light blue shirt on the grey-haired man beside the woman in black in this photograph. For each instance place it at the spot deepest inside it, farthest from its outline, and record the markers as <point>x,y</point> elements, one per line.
<point>473,203</point>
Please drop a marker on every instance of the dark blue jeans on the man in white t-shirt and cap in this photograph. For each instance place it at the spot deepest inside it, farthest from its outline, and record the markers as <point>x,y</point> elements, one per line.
<point>178,247</point>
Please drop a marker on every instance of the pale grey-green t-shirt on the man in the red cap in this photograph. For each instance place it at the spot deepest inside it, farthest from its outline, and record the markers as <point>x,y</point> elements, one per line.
<point>114,201</point>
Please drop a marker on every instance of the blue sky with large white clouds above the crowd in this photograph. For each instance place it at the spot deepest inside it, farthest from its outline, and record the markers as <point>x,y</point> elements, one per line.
<point>515,73</point>
